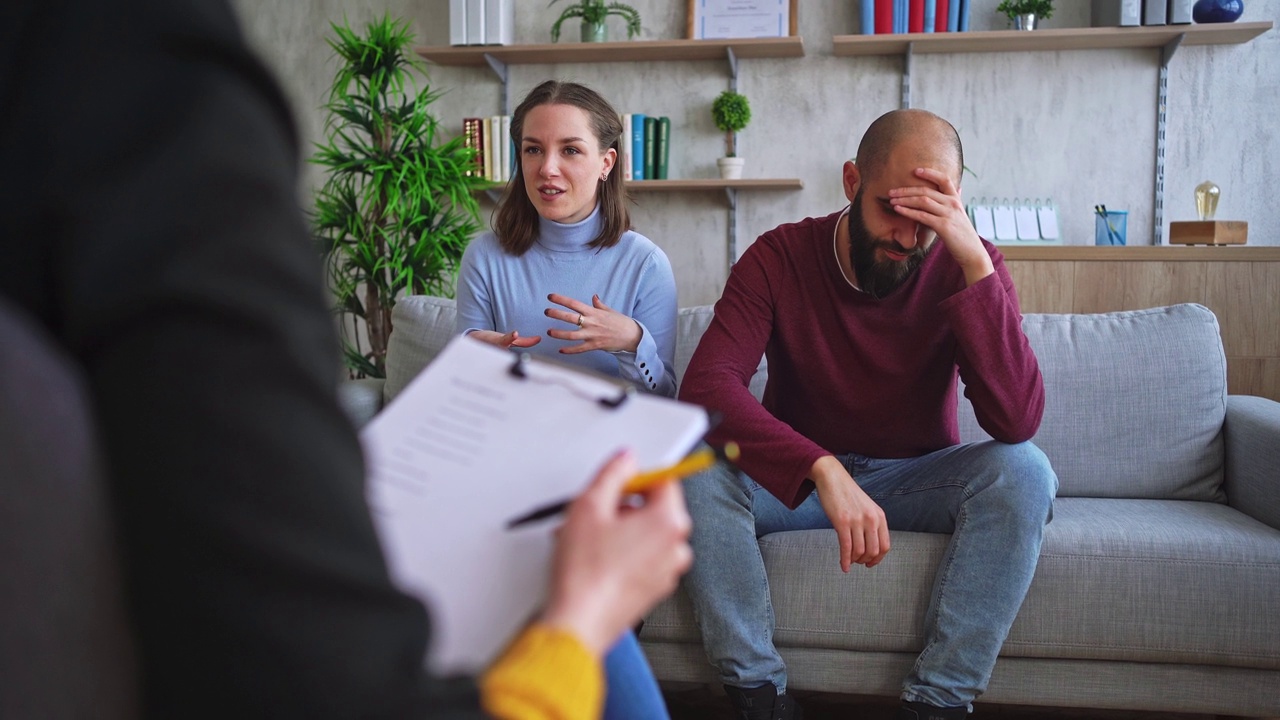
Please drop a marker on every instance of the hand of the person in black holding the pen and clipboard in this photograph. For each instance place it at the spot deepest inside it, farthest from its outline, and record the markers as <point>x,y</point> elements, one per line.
<point>612,562</point>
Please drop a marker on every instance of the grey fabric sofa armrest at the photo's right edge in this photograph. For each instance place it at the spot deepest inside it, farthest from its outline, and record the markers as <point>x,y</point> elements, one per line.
<point>1252,435</point>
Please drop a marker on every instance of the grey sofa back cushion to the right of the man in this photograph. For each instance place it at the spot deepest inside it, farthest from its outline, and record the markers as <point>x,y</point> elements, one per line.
<point>1135,403</point>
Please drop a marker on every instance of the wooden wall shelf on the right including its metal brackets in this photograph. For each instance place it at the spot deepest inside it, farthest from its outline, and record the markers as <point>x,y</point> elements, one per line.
<point>1165,39</point>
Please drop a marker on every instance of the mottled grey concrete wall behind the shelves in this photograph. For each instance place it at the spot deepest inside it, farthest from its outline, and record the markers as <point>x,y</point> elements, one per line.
<point>1078,127</point>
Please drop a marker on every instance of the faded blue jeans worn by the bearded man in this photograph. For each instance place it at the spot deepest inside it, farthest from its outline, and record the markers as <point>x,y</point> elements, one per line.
<point>994,498</point>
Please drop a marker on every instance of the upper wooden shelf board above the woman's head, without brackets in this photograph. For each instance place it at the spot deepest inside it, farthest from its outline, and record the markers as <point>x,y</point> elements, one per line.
<point>624,52</point>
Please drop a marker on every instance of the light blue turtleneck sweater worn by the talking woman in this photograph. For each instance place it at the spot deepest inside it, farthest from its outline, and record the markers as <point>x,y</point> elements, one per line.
<point>504,293</point>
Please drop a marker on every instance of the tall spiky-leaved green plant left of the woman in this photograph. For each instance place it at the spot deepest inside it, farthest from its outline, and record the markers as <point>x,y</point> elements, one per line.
<point>397,208</point>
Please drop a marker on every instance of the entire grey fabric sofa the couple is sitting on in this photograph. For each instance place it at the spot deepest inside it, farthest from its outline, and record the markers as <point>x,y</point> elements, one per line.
<point>1159,581</point>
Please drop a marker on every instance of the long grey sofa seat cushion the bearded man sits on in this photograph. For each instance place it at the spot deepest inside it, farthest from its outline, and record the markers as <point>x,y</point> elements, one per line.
<point>1148,581</point>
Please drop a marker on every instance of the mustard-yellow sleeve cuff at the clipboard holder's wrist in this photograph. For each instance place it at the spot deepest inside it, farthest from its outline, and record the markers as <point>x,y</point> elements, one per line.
<point>546,675</point>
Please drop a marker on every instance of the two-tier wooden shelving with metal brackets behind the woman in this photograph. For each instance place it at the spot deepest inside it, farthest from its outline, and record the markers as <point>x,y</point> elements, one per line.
<point>499,57</point>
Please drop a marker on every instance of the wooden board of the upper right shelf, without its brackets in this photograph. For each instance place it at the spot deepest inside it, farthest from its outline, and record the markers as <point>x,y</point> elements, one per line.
<point>1046,40</point>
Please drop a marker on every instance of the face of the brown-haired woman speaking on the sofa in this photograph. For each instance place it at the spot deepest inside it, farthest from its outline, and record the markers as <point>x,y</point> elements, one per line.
<point>563,162</point>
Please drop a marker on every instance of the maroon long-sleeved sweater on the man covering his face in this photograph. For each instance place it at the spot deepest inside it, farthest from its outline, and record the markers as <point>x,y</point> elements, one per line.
<point>849,373</point>
